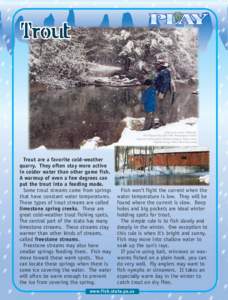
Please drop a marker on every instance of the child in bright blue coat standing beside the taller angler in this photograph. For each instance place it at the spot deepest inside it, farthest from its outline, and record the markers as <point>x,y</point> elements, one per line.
<point>149,102</point>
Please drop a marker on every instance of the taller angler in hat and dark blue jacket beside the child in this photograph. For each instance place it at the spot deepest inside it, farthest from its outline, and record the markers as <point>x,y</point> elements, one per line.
<point>165,90</point>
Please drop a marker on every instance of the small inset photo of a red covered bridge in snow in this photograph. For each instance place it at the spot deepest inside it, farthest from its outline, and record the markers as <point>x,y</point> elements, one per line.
<point>161,165</point>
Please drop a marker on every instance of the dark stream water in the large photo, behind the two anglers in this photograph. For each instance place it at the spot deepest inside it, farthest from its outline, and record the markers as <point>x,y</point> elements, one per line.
<point>64,118</point>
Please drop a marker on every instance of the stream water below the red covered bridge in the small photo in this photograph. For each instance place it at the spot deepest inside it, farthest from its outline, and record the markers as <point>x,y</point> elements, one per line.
<point>160,180</point>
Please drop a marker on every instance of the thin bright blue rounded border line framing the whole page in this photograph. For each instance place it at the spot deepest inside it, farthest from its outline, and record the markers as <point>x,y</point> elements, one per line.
<point>216,139</point>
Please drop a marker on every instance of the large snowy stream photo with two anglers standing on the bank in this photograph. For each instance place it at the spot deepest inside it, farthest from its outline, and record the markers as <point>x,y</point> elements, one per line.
<point>107,87</point>
